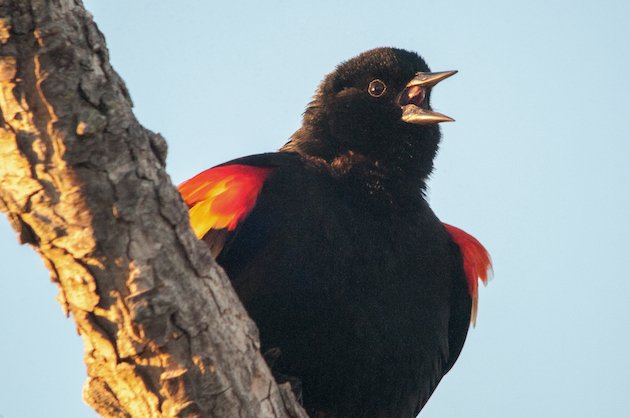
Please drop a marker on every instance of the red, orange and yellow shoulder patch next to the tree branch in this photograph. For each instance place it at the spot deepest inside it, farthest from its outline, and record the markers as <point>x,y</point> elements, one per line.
<point>221,197</point>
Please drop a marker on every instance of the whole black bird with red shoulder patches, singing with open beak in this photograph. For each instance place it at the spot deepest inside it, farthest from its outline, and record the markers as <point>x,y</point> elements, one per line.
<point>358,289</point>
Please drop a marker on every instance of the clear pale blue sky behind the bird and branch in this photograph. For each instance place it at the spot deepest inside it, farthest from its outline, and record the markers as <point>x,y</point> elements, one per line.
<point>536,166</point>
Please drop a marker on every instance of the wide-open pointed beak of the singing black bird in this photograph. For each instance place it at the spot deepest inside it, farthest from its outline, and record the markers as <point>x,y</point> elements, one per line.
<point>413,99</point>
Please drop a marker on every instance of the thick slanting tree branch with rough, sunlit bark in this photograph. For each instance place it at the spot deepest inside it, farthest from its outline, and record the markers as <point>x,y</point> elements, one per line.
<point>84,184</point>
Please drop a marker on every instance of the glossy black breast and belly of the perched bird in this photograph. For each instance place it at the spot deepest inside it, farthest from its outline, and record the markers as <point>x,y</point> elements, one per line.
<point>344,285</point>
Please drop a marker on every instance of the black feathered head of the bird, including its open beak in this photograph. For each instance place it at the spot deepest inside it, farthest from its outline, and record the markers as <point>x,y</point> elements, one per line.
<point>376,106</point>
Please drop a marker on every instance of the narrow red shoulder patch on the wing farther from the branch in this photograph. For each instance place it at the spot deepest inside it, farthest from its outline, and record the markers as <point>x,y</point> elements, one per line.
<point>477,263</point>
